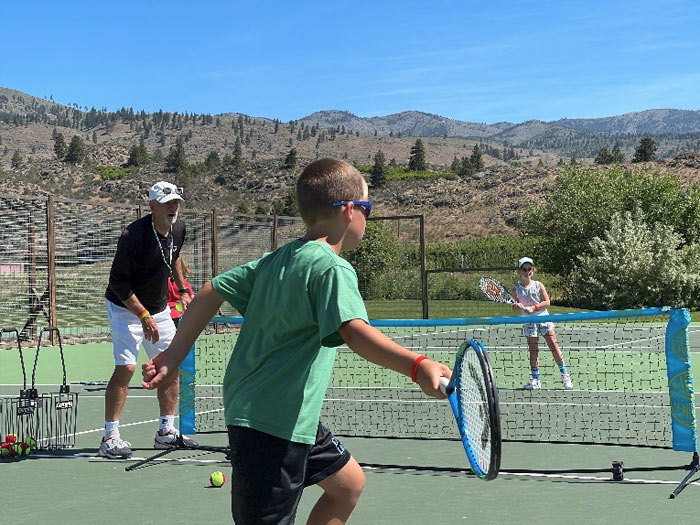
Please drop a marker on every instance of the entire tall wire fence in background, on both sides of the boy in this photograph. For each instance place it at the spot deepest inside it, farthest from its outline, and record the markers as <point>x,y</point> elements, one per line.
<point>56,254</point>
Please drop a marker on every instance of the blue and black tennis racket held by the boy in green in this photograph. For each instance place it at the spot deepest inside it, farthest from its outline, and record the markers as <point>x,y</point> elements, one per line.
<point>474,399</point>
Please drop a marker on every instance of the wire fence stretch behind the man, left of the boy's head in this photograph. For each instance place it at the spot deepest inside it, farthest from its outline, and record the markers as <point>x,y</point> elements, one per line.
<point>56,255</point>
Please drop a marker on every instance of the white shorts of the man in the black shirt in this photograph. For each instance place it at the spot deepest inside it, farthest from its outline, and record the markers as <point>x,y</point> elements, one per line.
<point>127,334</point>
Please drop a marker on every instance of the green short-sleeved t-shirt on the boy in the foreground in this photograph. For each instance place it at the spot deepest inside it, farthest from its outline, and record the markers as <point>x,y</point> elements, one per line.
<point>293,301</point>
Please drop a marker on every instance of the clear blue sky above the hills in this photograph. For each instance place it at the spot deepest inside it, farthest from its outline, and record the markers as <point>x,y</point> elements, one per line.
<point>480,61</point>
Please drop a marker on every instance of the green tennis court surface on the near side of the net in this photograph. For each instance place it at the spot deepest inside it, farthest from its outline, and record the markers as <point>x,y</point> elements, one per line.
<point>408,481</point>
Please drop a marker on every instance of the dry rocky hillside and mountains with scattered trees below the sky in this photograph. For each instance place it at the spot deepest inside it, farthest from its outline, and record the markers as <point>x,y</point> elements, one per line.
<point>489,203</point>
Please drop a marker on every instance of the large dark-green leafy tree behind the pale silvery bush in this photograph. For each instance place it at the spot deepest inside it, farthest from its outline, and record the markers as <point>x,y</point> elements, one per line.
<point>582,201</point>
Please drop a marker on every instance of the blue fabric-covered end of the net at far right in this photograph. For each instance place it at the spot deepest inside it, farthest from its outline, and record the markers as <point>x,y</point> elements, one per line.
<point>680,382</point>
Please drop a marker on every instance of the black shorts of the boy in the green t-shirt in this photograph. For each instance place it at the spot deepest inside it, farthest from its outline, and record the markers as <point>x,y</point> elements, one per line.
<point>269,473</point>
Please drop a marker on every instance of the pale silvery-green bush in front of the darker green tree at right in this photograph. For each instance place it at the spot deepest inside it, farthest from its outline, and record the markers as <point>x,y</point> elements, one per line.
<point>634,265</point>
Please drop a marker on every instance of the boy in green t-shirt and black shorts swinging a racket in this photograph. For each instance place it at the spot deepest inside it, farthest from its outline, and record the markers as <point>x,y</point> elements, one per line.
<point>299,303</point>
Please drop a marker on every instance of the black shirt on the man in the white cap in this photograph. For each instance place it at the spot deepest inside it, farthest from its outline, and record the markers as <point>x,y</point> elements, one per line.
<point>138,266</point>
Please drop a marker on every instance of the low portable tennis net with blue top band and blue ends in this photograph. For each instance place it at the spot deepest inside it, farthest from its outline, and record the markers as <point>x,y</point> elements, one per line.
<point>630,368</point>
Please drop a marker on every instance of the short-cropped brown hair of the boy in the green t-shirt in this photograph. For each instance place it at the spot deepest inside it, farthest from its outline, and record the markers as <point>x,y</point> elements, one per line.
<point>324,182</point>
